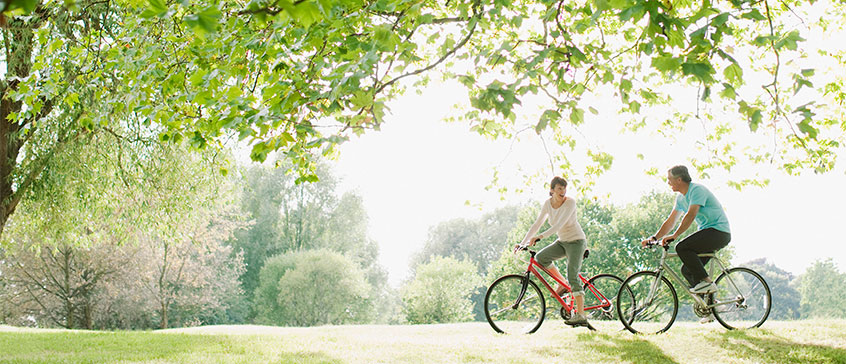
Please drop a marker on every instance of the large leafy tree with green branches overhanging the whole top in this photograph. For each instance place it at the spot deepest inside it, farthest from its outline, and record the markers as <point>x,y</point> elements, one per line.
<point>301,76</point>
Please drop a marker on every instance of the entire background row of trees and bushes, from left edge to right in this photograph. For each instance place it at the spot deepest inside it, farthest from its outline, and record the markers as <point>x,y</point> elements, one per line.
<point>162,239</point>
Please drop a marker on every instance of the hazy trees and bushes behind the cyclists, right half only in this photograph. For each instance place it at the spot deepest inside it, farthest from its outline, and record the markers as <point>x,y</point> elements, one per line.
<point>614,235</point>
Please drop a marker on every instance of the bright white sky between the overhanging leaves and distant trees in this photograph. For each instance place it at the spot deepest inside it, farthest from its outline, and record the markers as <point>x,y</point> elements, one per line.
<point>419,171</point>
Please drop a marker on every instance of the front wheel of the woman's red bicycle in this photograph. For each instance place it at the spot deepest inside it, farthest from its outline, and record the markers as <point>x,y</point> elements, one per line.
<point>506,314</point>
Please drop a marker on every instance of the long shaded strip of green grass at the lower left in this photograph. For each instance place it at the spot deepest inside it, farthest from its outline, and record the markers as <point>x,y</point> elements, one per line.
<point>109,347</point>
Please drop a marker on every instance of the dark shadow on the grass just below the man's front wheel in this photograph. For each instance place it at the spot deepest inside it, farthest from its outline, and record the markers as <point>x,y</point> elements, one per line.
<point>632,350</point>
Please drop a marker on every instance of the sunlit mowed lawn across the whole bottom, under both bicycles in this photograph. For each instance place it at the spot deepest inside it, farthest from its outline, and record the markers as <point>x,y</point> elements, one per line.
<point>812,341</point>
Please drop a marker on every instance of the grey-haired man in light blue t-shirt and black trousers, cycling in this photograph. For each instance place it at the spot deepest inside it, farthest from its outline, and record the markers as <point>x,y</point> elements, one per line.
<point>696,203</point>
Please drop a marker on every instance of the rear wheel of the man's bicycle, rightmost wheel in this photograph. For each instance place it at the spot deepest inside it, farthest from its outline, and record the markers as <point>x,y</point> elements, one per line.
<point>743,299</point>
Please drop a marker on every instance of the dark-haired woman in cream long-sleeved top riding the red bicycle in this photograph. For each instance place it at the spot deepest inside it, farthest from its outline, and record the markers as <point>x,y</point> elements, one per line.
<point>560,211</point>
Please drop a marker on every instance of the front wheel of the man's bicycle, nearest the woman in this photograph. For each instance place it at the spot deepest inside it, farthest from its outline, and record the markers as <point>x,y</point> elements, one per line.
<point>646,304</point>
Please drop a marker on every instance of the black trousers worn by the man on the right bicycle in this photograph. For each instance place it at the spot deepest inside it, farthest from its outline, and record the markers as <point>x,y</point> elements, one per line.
<point>703,241</point>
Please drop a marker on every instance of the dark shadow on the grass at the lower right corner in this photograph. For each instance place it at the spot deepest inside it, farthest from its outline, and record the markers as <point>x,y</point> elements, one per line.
<point>763,346</point>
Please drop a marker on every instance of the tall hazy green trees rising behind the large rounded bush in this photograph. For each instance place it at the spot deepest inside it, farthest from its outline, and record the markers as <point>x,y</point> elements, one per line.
<point>290,217</point>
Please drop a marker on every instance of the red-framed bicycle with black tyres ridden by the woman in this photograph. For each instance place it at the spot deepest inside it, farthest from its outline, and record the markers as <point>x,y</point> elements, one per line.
<point>515,304</point>
